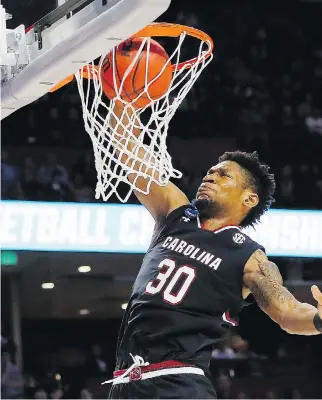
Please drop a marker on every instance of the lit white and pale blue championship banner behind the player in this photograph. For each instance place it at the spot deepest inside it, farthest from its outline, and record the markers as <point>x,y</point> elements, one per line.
<point>112,228</point>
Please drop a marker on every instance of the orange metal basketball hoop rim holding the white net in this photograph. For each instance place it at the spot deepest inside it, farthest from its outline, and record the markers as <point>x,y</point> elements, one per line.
<point>157,29</point>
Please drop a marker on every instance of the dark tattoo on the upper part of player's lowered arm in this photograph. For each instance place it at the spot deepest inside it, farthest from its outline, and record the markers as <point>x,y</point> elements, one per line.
<point>266,284</point>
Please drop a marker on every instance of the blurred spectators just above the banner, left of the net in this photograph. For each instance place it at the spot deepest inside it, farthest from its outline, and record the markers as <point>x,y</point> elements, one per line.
<point>50,181</point>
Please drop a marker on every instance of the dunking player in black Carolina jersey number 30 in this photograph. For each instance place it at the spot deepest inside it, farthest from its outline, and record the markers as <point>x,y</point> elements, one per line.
<point>194,278</point>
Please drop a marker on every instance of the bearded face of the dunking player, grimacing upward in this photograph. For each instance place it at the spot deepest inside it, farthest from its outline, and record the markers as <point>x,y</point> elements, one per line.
<point>223,188</point>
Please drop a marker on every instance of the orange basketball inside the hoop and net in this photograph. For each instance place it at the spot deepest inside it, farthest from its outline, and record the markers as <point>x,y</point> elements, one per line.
<point>147,67</point>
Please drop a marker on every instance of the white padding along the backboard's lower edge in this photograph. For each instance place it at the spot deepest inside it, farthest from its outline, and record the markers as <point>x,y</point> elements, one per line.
<point>71,43</point>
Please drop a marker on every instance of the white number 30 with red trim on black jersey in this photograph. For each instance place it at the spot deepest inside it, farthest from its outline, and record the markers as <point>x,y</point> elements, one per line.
<point>167,280</point>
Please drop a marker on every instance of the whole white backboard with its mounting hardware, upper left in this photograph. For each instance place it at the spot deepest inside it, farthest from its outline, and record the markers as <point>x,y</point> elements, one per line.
<point>62,42</point>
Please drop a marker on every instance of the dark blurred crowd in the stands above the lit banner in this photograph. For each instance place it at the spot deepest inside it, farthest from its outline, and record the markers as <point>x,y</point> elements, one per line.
<point>263,89</point>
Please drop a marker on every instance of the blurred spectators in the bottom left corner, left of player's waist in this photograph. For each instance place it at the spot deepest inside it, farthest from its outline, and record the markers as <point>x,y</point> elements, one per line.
<point>71,378</point>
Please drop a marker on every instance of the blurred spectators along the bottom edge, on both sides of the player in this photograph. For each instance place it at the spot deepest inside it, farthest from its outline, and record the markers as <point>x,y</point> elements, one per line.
<point>74,372</point>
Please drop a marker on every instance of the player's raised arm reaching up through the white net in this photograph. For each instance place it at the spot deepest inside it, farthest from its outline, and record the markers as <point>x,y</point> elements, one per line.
<point>161,200</point>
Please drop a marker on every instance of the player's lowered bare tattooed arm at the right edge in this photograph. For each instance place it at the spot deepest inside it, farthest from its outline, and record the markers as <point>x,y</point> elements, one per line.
<point>264,280</point>
